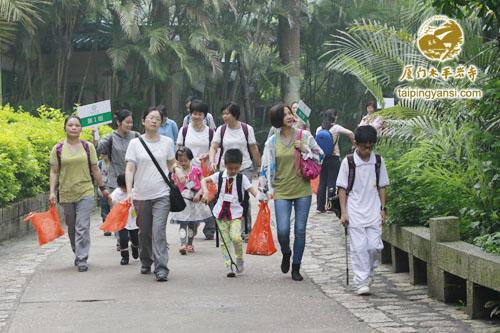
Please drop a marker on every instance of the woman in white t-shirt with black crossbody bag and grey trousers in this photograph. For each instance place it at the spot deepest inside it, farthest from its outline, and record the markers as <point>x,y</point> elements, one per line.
<point>150,195</point>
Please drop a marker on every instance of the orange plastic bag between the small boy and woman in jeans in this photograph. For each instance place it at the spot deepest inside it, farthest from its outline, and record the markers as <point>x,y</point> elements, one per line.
<point>260,241</point>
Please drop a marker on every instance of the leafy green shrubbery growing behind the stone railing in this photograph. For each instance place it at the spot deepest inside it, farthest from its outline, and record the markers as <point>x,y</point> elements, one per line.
<point>444,174</point>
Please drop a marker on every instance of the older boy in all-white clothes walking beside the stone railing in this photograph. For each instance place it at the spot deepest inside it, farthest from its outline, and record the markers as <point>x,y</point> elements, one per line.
<point>361,184</point>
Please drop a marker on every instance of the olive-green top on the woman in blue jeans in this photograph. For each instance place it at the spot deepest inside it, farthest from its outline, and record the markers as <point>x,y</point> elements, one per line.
<point>287,185</point>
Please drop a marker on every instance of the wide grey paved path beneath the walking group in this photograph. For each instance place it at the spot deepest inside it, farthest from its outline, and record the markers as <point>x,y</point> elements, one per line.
<point>41,291</point>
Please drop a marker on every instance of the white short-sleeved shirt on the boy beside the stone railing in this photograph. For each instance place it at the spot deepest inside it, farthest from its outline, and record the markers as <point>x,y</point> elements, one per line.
<point>363,202</point>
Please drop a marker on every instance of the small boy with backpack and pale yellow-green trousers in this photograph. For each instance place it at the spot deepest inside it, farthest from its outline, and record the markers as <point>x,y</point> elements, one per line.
<point>231,203</point>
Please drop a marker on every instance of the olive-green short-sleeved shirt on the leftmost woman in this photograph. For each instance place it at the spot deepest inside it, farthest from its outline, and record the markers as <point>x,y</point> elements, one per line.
<point>74,174</point>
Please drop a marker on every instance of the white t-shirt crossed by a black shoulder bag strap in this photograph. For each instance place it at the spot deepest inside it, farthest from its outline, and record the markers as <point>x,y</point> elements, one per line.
<point>148,183</point>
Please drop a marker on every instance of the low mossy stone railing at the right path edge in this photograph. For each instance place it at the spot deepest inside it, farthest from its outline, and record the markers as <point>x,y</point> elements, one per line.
<point>453,270</point>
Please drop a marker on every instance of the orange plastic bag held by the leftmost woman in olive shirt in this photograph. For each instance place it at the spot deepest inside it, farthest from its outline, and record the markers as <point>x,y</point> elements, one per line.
<point>47,225</point>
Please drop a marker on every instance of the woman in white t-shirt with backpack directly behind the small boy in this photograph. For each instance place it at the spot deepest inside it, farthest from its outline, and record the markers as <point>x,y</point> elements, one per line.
<point>235,134</point>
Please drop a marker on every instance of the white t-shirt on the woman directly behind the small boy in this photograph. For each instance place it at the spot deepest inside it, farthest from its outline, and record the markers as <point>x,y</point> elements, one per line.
<point>235,138</point>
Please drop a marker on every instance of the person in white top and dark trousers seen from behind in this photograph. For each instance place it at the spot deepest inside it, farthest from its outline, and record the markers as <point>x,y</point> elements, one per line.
<point>331,163</point>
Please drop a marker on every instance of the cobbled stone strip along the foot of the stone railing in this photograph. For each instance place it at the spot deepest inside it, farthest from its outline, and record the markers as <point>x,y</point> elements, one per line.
<point>395,305</point>
